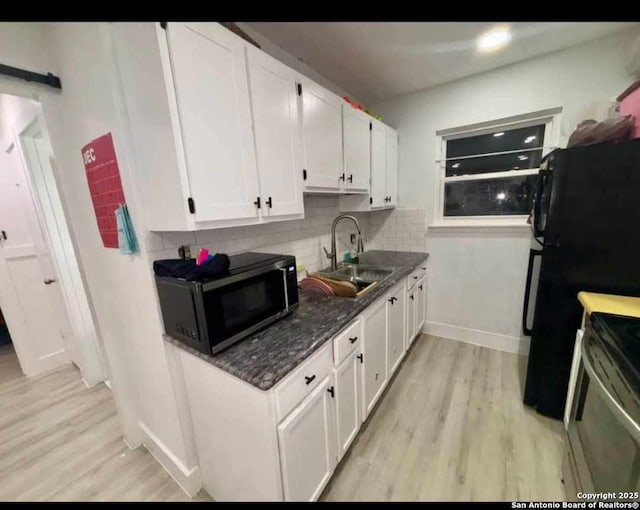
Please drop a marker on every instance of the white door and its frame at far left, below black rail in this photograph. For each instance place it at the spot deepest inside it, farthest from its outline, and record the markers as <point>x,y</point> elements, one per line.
<point>45,307</point>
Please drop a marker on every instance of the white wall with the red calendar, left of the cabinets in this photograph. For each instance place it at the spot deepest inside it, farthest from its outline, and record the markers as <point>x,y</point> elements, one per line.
<point>121,287</point>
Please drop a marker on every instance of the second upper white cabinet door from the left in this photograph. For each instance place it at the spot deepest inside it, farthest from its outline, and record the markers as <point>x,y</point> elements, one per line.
<point>274,105</point>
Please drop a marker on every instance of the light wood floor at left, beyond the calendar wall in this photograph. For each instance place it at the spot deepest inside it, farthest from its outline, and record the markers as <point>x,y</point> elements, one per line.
<point>61,441</point>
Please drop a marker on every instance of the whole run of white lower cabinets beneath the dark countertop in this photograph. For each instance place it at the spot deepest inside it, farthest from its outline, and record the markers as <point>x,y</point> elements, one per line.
<point>284,443</point>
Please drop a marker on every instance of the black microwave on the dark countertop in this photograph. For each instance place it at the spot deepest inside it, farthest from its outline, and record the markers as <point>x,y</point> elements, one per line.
<point>209,316</point>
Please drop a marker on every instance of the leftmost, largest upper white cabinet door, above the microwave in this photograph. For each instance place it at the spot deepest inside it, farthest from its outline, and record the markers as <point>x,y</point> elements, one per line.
<point>212,94</point>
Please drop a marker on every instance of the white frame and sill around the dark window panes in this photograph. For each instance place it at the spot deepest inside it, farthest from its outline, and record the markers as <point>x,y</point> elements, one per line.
<point>551,119</point>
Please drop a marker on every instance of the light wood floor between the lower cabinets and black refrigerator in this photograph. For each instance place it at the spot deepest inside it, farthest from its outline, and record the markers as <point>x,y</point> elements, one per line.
<point>452,426</point>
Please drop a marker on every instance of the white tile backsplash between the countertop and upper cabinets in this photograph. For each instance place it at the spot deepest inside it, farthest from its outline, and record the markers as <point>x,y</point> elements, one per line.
<point>398,229</point>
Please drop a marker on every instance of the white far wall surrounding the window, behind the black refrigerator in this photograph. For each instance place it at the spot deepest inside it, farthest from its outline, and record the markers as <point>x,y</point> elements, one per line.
<point>477,276</point>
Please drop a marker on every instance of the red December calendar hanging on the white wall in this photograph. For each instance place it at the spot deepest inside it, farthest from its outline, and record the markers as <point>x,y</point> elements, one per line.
<point>103,176</point>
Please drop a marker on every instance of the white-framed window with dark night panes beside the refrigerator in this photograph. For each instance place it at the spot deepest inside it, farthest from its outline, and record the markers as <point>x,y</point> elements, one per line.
<point>487,173</point>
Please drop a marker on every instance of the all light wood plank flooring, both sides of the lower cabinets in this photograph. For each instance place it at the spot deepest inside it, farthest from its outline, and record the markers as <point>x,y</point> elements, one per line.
<point>451,426</point>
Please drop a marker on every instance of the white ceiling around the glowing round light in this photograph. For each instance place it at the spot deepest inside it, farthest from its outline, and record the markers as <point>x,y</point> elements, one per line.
<point>375,61</point>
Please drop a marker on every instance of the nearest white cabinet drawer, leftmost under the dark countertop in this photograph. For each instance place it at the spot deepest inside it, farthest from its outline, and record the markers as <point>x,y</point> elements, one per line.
<point>299,383</point>
